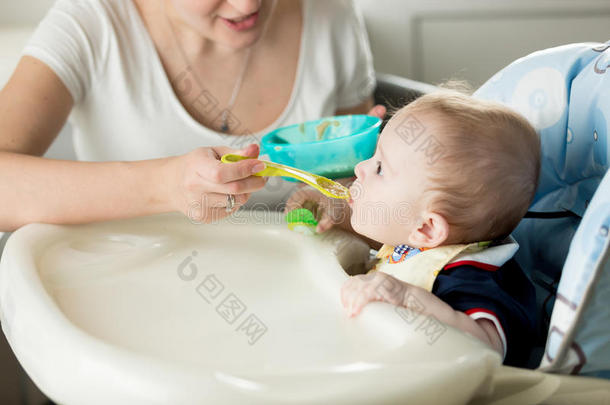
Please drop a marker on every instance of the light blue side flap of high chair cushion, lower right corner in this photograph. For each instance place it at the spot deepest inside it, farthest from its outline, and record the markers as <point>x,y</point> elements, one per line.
<point>579,335</point>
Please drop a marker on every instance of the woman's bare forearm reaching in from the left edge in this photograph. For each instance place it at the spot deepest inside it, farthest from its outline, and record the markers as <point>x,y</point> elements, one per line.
<point>34,189</point>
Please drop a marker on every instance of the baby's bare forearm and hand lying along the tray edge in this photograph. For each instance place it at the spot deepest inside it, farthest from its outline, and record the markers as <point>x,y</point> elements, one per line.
<point>378,286</point>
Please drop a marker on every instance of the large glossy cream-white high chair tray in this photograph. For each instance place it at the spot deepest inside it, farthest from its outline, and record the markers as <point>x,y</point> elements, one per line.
<point>157,310</point>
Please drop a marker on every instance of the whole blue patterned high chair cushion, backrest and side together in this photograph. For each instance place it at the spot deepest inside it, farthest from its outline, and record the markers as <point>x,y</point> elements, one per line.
<point>565,93</point>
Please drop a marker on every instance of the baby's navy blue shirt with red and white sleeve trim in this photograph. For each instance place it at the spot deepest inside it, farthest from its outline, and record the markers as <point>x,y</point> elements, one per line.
<point>504,295</point>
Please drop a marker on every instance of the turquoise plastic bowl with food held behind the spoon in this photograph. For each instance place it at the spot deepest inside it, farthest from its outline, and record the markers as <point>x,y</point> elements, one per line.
<point>330,147</point>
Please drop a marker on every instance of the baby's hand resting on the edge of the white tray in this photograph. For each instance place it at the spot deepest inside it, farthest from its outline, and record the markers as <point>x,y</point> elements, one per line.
<point>376,286</point>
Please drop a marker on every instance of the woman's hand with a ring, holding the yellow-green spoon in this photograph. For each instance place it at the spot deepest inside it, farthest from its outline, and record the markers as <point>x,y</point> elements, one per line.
<point>199,183</point>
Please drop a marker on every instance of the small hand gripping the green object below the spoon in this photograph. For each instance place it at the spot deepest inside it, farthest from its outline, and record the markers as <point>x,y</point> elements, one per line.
<point>328,211</point>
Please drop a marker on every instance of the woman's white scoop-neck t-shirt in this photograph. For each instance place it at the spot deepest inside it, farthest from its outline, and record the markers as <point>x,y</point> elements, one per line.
<point>125,108</point>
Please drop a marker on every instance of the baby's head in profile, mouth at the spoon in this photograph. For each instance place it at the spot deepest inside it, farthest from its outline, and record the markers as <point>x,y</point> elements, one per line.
<point>448,169</point>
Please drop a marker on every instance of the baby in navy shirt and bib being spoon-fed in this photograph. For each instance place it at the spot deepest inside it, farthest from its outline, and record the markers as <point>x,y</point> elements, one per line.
<point>452,176</point>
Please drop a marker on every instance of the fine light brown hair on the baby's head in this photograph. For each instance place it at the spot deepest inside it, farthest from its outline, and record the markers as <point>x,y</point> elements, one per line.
<point>487,171</point>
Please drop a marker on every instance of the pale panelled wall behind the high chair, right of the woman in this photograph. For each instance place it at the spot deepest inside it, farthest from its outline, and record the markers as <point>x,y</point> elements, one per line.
<point>435,40</point>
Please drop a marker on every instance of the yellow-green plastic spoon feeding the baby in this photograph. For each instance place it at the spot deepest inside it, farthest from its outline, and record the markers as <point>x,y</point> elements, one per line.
<point>325,186</point>
